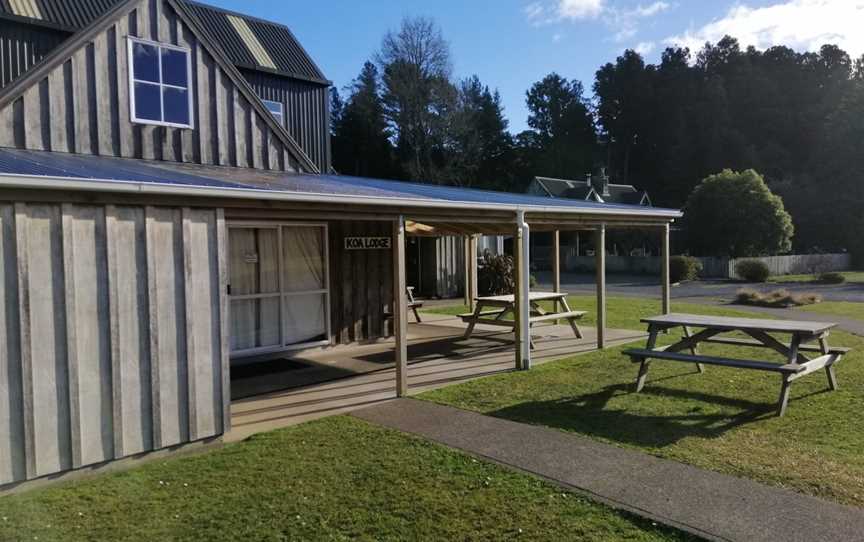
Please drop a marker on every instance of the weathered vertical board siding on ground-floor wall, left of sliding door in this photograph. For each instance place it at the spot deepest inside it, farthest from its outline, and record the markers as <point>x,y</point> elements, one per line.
<point>111,333</point>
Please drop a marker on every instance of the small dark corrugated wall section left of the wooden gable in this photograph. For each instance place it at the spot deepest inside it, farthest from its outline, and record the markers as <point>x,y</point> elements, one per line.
<point>22,46</point>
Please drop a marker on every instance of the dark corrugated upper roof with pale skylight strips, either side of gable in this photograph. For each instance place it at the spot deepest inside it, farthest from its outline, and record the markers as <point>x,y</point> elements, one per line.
<point>275,42</point>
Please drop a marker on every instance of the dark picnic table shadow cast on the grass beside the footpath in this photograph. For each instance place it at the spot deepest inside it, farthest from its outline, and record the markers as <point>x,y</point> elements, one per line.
<point>591,415</point>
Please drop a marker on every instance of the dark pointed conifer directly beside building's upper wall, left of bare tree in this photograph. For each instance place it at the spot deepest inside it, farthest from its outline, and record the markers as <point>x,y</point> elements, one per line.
<point>361,142</point>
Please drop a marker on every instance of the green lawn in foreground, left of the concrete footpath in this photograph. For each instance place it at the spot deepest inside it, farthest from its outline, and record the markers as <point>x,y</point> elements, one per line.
<point>333,479</point>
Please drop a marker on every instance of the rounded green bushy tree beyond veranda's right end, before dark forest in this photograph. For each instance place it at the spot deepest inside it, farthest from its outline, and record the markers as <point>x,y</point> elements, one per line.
<point>735,214</point>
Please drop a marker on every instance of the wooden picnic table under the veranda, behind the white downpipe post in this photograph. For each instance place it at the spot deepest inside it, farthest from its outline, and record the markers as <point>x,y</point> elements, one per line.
<point>491,310</point>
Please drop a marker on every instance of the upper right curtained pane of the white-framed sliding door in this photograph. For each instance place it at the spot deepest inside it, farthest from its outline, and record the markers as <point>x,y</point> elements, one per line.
<point>304,258</point>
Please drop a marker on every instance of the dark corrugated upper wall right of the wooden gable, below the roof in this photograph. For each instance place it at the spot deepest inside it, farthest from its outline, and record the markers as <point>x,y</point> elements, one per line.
<point>307,111</point>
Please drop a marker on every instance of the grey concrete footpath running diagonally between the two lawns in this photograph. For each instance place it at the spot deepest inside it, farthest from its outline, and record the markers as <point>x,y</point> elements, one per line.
<point>711,505</point>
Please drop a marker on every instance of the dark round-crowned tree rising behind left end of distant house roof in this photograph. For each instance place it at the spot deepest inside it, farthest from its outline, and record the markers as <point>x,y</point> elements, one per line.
<point>563,127</point>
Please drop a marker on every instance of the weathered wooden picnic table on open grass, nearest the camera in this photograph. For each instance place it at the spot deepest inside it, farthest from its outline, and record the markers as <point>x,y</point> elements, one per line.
<point>761,333</point>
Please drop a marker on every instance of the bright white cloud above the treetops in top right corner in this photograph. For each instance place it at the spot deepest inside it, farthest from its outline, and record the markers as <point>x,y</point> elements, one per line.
<point>799,24</point>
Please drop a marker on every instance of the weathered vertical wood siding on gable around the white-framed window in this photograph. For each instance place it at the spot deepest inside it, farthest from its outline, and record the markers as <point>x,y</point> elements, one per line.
<point>82,106</point>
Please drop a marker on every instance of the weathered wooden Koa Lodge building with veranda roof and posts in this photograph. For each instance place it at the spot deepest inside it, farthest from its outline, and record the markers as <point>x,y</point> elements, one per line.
<point>166,209</point>
